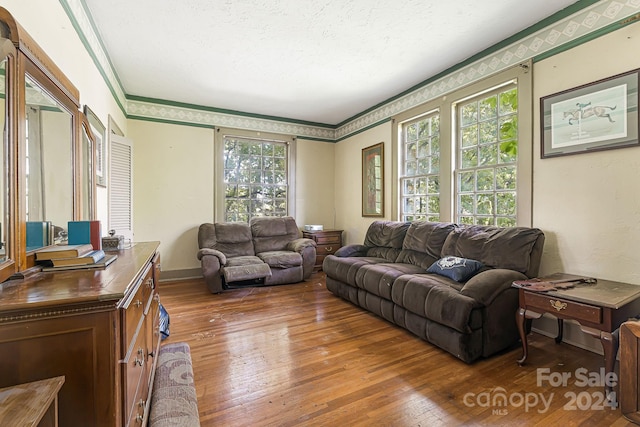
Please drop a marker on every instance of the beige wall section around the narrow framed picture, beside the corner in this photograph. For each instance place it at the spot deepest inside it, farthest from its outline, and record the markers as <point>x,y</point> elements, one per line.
<point>348,184</point>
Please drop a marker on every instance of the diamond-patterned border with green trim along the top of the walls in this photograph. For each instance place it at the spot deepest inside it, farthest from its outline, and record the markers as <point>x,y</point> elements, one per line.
<point>595,18</point>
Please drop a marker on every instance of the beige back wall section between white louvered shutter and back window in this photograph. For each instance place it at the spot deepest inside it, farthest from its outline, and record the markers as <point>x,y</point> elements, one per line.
<point>172,188</point>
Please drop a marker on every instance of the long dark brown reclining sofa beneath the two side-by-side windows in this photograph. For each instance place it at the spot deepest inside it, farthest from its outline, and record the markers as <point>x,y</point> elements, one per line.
<point>469,318</point>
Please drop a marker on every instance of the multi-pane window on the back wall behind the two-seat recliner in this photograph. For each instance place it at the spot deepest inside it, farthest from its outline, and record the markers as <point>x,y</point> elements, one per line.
<point>256,176</point>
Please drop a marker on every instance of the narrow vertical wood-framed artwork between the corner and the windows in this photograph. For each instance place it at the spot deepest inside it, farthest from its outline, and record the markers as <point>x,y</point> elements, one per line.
<point>373,180</point>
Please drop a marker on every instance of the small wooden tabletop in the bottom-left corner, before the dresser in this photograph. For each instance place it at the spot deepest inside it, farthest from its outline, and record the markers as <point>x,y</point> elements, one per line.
<point>31,404</point>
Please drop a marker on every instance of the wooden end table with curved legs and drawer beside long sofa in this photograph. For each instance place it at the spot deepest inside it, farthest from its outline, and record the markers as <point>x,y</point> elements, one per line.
<point>599,308</point>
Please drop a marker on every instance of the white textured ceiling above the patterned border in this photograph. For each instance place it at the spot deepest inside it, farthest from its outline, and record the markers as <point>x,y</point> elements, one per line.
<point>315,60</point>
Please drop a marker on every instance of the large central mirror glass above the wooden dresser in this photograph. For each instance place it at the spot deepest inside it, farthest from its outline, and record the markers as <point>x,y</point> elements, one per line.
<point>49,165</point>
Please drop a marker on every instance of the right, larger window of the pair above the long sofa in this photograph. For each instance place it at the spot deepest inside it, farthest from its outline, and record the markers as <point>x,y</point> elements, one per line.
<point>487,147</point>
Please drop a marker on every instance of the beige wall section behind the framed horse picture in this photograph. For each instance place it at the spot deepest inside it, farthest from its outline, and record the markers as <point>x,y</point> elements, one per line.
<point>587,204</point>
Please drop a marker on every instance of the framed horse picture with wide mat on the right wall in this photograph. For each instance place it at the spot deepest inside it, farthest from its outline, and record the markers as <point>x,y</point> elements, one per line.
<point>597,116</point>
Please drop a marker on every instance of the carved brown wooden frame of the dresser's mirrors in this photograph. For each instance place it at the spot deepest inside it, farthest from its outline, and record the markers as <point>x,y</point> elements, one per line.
<point>27,57</point>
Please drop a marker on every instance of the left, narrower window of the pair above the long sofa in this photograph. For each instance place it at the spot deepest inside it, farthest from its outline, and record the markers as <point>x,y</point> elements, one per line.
<point>420,171</point>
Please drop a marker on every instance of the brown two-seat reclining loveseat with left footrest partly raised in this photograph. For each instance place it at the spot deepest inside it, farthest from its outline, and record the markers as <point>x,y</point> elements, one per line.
<point>267,251</point>
